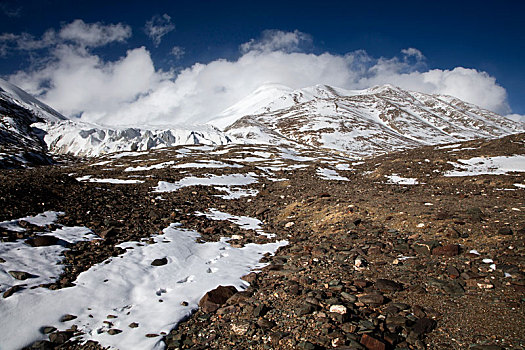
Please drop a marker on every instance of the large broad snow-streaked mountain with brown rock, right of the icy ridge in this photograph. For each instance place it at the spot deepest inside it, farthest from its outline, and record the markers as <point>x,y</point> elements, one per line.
<point>359,122</point>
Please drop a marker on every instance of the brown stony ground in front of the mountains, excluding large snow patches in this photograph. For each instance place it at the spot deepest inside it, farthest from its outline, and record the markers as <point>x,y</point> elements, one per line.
<point>383,253</point>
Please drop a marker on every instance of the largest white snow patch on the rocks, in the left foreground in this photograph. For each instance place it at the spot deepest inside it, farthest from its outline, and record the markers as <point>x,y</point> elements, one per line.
<point>130,289</point>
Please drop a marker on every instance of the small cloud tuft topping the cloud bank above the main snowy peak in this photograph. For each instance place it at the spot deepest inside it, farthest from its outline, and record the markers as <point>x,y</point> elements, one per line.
<point>277,40</point>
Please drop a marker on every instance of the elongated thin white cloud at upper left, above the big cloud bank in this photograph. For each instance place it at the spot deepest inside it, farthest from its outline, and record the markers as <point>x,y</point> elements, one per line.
<point>94,34</point>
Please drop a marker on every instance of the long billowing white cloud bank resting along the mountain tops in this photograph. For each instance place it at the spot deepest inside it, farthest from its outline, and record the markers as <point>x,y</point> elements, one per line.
<point>131,90</point>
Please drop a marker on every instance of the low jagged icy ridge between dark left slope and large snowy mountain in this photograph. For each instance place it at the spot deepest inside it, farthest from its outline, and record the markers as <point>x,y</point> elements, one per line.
<point>82,139</point>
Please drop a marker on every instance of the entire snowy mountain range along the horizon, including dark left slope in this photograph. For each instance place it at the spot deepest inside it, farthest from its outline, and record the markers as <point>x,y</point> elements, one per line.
<point>357,122</point>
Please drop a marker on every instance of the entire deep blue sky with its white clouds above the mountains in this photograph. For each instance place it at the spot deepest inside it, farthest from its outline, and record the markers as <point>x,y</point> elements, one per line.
<point>471,49</point>
